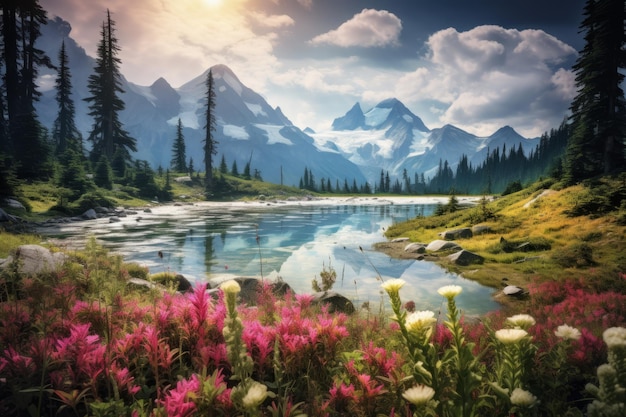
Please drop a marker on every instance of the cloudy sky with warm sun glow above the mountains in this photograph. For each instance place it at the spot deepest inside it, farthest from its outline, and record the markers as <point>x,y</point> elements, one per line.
<point>476,64</point>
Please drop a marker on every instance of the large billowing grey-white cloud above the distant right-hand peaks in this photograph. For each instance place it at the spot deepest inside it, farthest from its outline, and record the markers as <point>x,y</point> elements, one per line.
<point>489,76</point>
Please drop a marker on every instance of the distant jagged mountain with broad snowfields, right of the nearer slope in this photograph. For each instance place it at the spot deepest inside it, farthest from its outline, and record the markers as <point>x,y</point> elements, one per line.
<point>389,137</point>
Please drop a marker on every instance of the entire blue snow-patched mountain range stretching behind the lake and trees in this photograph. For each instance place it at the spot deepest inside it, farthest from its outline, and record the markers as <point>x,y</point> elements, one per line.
<point>356,147</point>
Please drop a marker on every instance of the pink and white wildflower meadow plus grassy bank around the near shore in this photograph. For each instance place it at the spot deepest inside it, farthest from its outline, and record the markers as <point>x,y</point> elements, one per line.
<point>80,342</point>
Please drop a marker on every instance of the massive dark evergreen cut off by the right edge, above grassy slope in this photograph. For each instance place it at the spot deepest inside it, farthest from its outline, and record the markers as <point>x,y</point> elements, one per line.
<point>599,109</point>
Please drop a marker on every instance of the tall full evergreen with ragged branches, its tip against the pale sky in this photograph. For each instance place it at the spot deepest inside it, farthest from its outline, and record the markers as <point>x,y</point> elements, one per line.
<point>108,135</point>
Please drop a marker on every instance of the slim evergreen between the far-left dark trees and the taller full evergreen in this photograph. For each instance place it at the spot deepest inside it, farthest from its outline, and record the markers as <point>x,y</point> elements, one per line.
<point>64,133</point>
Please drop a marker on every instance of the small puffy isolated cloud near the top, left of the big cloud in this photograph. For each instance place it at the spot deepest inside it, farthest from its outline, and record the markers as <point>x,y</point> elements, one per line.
<point>369,28</point>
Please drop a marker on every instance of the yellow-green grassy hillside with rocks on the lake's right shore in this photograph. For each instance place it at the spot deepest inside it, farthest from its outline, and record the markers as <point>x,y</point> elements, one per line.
<point>543,232</point>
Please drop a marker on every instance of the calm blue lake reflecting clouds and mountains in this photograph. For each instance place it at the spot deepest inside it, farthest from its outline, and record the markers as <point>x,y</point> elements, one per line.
<point>292,241</point>
